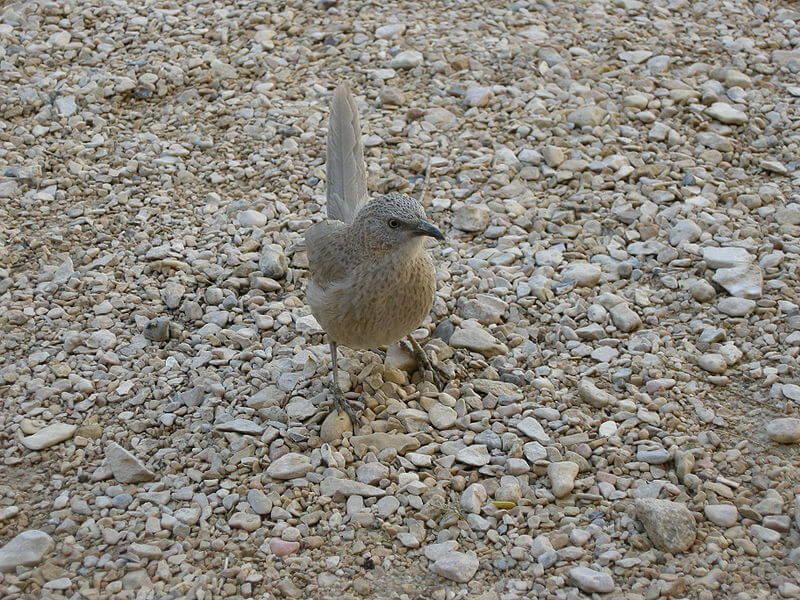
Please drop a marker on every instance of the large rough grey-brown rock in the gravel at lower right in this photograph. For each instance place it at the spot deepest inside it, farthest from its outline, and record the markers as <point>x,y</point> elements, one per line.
<point>669,525</point>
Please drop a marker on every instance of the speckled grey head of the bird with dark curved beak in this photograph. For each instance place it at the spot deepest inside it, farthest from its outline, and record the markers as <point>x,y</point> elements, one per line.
<point>394,221</point>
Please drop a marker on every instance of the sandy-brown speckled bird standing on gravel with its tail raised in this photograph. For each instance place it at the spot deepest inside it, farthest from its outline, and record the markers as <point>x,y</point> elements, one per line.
<point>371,281</point>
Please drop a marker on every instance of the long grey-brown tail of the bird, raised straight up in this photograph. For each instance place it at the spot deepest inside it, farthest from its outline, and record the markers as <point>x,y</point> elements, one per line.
<point>345,170</point>
